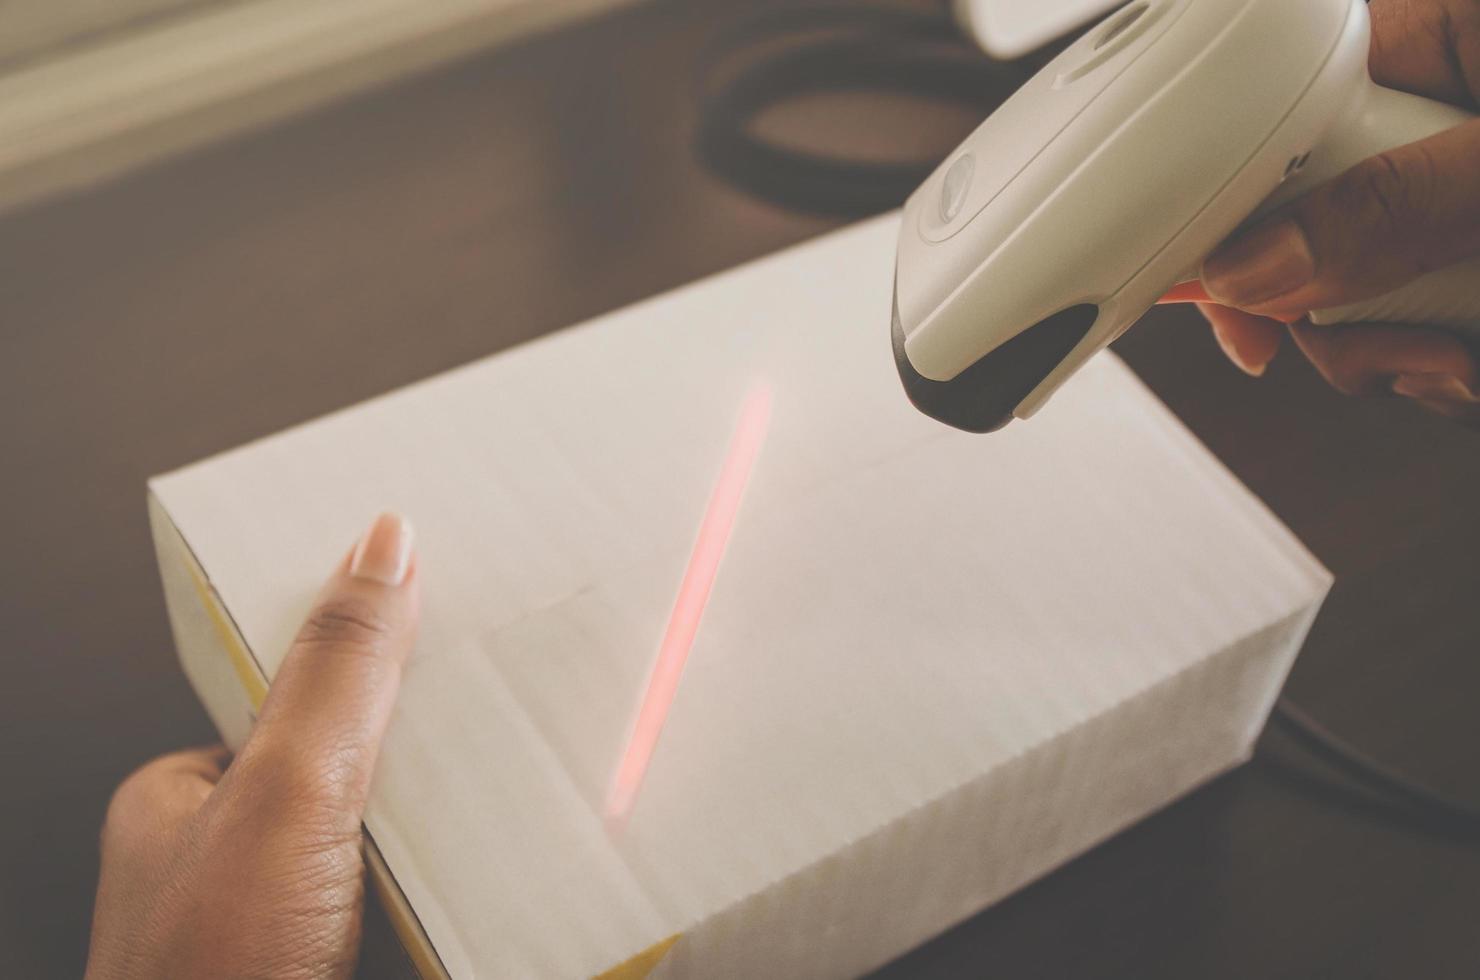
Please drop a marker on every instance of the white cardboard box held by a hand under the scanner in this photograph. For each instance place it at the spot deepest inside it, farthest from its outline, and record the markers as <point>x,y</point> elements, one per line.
<point>935,667</point>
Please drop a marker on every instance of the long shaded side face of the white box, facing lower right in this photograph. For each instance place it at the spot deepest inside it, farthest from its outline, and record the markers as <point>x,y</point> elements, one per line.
<point>948,861</point>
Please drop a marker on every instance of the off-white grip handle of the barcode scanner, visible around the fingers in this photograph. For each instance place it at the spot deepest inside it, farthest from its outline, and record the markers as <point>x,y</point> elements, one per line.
<point>1385,119</point>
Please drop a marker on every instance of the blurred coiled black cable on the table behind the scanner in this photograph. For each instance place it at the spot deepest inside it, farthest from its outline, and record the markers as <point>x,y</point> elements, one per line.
<point>790,54</point>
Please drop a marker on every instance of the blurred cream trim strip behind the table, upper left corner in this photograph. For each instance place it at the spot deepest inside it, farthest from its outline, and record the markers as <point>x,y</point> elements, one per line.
<point>91,115</point>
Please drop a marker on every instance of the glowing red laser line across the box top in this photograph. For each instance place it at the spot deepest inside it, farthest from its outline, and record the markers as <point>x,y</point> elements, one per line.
<point>693,596</point>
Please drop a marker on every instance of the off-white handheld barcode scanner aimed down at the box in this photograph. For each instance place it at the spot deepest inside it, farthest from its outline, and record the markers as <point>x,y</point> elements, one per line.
<point>1112,174</point>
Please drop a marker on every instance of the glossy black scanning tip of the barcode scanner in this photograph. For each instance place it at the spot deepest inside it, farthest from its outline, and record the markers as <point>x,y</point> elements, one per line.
<point>982,399</point>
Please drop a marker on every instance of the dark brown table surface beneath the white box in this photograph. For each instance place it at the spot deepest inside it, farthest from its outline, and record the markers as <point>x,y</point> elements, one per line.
<point>218,298</point>
